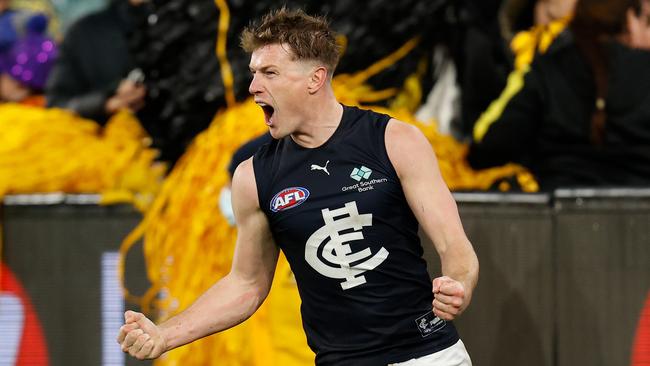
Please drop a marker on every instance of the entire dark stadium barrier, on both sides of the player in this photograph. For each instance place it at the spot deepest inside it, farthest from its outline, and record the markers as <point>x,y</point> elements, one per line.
<point>563,276</point>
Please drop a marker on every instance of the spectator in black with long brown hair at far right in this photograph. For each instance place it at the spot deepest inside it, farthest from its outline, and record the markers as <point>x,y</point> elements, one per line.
<point>581,116</point>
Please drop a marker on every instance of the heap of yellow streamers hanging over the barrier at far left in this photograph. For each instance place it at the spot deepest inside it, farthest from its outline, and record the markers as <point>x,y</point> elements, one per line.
<point>51,150</point>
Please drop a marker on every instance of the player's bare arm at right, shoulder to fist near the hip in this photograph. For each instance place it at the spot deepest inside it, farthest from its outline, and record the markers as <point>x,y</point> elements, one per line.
<point>435,209</point>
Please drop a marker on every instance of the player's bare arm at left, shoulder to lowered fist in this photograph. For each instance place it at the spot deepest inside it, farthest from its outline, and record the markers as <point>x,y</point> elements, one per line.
<point>232,299</point>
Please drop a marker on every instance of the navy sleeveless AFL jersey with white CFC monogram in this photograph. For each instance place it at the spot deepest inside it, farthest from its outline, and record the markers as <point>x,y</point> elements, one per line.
<point>339,214</point>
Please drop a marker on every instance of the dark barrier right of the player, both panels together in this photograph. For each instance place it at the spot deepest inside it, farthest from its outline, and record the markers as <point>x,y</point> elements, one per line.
<point>563,277</point>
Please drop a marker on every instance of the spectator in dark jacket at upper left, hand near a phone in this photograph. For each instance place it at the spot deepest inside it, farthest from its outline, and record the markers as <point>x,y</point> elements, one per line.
<point>91,73</point>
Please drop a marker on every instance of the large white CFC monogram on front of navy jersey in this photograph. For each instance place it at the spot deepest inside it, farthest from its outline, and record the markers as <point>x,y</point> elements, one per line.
<point>342,263</point>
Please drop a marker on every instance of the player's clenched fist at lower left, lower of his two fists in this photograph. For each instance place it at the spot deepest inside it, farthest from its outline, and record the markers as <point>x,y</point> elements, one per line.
<point>140,337</point>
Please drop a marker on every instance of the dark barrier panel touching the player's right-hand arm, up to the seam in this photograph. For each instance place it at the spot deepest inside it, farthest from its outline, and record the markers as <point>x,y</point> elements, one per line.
<point>510,321</point>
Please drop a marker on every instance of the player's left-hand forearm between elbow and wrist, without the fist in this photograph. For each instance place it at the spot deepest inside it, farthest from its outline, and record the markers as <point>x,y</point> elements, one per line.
<point>226,304</point>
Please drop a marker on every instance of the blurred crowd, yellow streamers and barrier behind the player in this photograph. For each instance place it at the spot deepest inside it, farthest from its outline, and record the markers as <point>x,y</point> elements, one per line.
<point>121,122</point>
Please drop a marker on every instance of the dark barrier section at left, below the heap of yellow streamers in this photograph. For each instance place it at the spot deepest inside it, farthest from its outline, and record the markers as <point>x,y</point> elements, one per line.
<point>62,249</point>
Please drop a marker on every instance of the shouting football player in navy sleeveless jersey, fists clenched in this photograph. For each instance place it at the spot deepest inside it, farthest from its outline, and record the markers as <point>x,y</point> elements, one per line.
<point>341,192</point>
